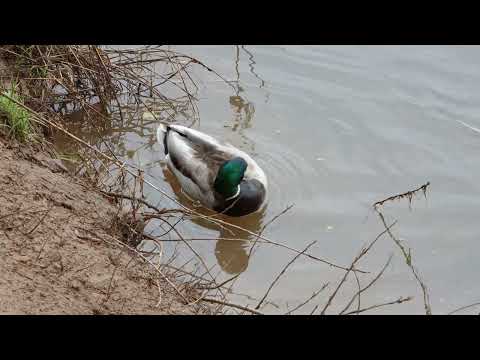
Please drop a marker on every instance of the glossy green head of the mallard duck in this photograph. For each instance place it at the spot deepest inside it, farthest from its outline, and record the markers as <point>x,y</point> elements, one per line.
<point>229,177</point>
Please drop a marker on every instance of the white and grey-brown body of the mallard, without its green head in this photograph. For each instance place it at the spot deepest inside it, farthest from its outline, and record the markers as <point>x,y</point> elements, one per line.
<point>195,157</point>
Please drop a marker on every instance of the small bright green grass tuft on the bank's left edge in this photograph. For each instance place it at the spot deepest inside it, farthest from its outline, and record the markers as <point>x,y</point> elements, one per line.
<point>17,118</point>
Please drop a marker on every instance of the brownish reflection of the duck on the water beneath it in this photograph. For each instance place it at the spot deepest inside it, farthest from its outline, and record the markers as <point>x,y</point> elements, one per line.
<point>232,255</point>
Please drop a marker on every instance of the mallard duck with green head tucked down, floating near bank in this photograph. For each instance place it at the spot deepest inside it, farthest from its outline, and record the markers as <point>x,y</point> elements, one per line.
<point>221,177</point>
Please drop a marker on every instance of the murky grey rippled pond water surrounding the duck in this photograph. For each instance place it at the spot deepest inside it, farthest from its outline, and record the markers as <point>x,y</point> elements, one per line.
<point>337,128</point>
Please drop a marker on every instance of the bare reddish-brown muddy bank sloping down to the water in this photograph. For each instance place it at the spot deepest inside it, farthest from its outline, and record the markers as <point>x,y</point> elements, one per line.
<point>60,250</point>
